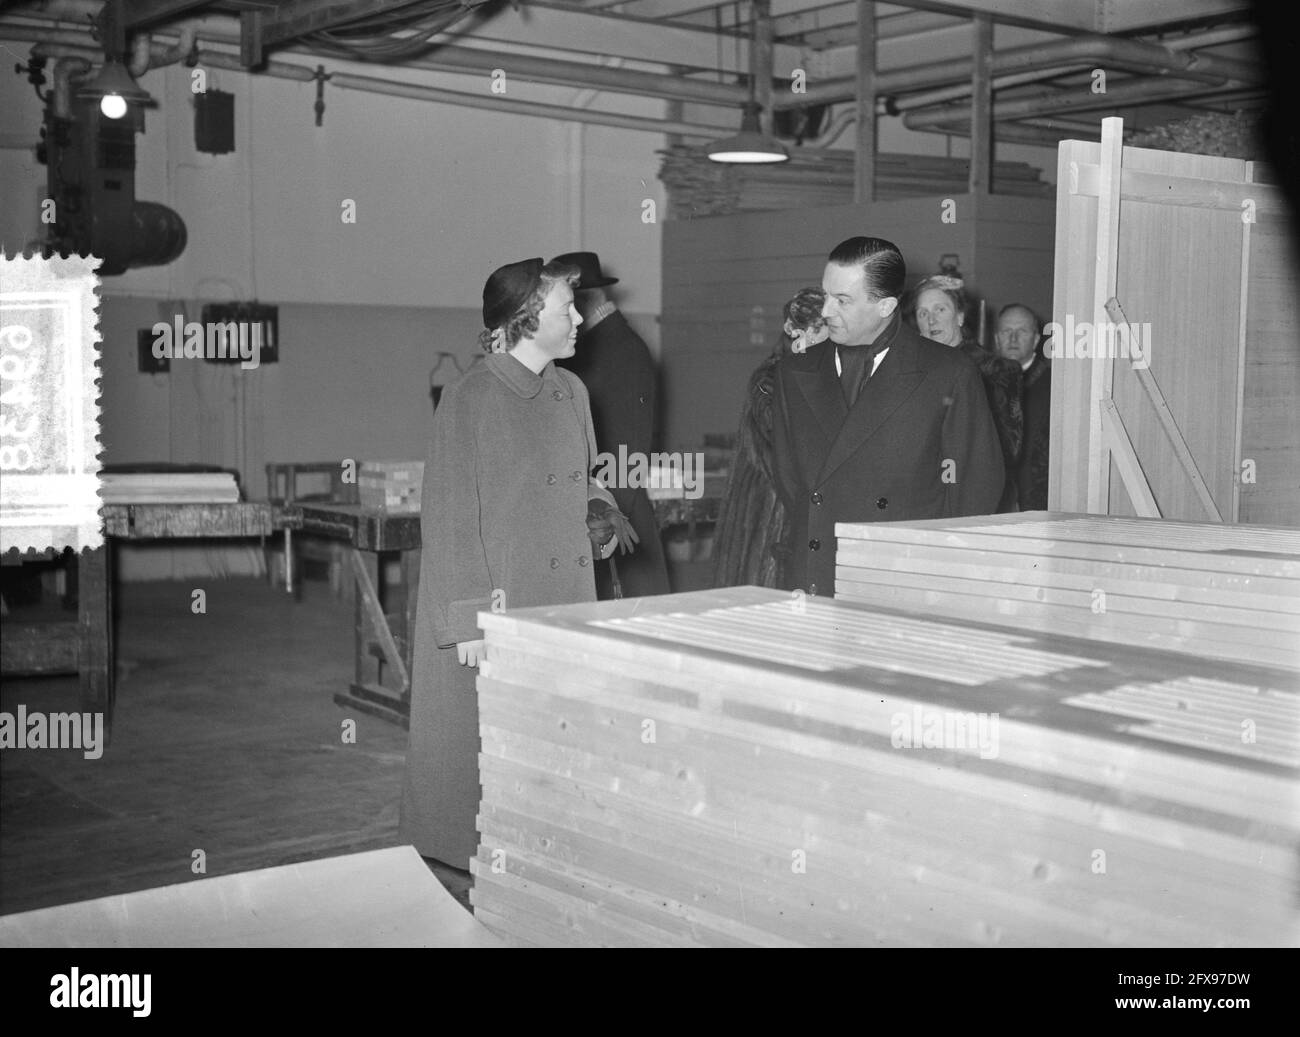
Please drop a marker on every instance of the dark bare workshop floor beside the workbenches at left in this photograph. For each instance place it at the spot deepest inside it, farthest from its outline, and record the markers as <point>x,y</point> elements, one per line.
<point>226,740</point>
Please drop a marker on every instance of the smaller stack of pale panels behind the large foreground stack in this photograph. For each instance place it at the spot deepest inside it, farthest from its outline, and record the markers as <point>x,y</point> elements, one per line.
<point>1224,592</point>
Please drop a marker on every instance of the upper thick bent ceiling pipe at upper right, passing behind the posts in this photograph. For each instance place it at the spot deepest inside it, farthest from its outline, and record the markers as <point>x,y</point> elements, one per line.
<point>1121,54</point>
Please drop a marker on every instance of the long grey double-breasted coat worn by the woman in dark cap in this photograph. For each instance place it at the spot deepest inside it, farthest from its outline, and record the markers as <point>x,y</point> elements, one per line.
<point>506,492</point>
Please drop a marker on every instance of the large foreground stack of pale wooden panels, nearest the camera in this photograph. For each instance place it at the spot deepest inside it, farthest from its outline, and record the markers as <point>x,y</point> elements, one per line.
<point>746,767</point>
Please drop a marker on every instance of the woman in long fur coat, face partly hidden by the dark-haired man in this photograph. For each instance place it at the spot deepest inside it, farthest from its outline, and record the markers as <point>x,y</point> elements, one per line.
<point>749,543</point>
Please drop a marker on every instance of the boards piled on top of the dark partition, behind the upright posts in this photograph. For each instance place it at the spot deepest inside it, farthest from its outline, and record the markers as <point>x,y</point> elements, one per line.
<point>817,177</point>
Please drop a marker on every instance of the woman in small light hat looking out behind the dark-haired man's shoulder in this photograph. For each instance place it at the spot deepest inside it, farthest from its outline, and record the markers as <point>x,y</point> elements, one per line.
<point>941,313</point>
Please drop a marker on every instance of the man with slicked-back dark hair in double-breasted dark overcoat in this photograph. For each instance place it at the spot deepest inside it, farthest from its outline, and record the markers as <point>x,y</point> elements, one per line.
<point>876,424</point>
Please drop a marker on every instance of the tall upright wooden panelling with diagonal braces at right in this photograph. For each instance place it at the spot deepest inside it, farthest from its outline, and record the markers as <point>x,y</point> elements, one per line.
<point>1206,428</point>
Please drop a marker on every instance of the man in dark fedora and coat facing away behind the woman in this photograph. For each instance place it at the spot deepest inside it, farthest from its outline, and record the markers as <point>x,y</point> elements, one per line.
<point>618,371</point>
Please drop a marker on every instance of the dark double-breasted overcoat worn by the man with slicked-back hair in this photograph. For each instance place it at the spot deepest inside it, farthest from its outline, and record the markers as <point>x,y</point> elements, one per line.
<point>885,461</point>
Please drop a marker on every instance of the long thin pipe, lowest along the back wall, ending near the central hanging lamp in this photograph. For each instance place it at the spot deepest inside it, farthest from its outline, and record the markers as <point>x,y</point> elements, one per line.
<point>393,89</point>
